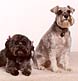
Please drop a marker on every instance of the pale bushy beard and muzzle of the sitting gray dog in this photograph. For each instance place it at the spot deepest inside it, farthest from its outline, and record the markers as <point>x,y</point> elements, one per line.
<point>64,23</point>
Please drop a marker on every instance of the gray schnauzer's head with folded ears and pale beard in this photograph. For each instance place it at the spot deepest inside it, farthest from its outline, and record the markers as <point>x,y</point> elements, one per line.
<point>63,16</point>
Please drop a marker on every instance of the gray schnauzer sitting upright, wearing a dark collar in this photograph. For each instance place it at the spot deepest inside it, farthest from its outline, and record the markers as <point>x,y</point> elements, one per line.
<point>54,47</point>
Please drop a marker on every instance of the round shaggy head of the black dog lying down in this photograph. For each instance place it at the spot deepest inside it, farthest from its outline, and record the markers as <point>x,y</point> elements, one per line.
<point>19,46</point>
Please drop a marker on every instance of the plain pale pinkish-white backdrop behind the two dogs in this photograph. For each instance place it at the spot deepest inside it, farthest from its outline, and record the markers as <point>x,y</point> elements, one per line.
<point>32,18</point>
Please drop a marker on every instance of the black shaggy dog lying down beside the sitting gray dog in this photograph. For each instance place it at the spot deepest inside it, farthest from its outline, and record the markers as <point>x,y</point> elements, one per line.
<point>17,55</point>
